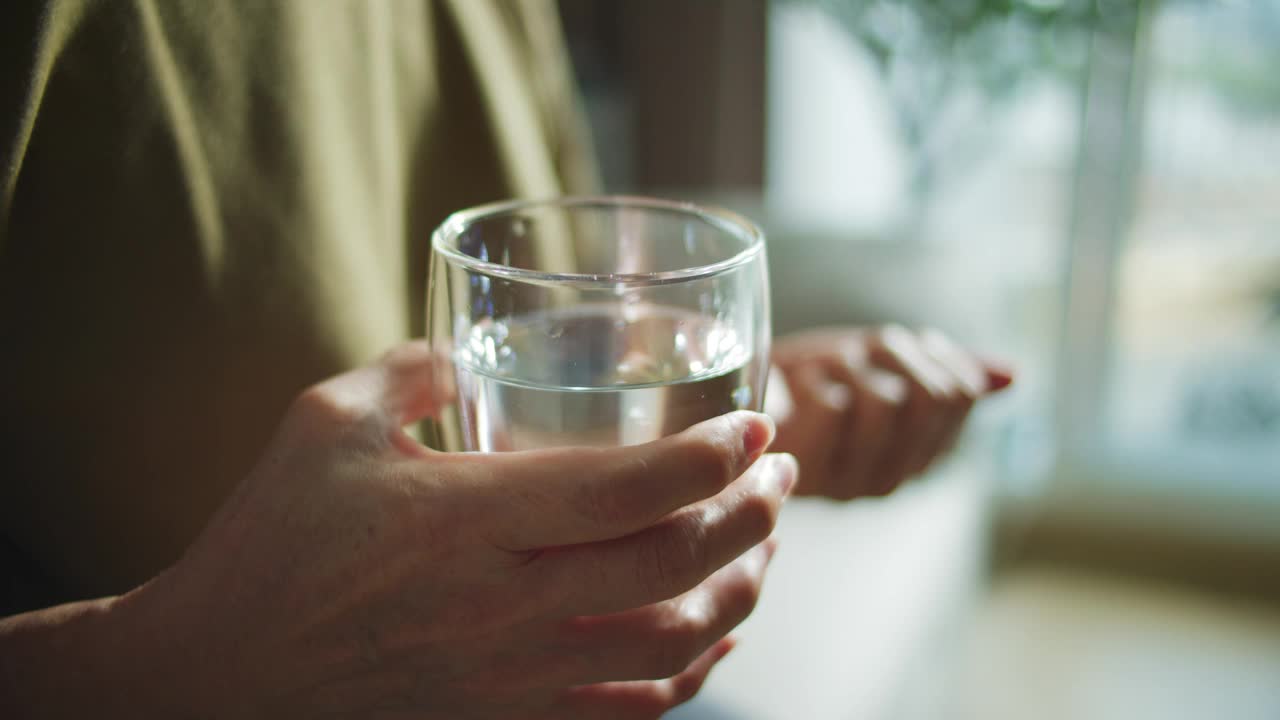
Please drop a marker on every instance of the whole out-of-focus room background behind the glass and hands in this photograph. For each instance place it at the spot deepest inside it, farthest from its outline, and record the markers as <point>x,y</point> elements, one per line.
<point>1089,189</point>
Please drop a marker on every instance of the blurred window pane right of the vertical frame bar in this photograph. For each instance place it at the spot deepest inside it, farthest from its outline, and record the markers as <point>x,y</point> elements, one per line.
<point>1194,373</point>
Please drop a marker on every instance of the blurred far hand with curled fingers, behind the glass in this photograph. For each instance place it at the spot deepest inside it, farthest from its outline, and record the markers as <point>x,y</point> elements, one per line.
<point>863,411</point>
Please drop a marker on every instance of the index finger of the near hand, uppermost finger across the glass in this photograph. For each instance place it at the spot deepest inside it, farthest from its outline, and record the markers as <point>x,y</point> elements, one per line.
<point>570,496</point>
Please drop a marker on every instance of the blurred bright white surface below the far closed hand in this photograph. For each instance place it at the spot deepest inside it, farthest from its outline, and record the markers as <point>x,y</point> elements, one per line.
<point>856,600</point>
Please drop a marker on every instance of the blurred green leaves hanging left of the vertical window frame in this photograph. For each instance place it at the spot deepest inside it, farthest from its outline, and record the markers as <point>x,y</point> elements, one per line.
<point>932,53</point>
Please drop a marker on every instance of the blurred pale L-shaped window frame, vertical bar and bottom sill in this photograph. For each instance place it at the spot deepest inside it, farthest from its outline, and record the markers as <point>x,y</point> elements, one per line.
<point>1090,479</point>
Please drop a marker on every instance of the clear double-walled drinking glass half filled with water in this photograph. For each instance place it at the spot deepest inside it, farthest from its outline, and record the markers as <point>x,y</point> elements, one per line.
<point>596,321</point>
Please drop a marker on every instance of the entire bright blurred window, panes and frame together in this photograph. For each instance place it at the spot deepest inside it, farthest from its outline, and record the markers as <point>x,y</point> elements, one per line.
<point>1095,189</point>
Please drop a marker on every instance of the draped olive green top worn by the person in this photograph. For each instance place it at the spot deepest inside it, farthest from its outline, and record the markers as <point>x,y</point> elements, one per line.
<point>209,206</point>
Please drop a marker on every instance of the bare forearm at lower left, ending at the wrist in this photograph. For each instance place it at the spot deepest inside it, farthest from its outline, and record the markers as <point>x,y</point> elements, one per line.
<point>76,660</point>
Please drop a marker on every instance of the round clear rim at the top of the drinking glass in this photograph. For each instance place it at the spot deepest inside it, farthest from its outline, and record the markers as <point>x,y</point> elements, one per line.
<point>445,241</point>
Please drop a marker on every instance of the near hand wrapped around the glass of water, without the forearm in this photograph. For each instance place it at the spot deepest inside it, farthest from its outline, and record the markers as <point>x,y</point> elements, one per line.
<point>358,573</point>
